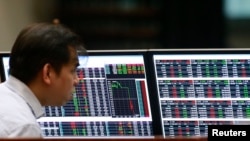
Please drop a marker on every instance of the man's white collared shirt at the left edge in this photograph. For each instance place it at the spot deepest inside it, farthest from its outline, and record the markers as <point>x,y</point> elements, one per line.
<point>19,110</point>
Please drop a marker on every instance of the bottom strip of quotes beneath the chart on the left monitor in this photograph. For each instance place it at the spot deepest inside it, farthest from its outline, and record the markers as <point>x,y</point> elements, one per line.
<point>96,129</point>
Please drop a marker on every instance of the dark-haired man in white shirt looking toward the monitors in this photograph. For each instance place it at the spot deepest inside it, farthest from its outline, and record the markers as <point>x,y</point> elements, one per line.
<point>43,63</point>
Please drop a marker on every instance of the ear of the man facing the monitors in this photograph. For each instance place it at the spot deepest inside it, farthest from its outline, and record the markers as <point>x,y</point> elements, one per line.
<point>47,72</point>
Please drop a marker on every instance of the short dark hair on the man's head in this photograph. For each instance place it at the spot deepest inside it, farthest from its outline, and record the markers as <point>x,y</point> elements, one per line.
<point>42,43</point>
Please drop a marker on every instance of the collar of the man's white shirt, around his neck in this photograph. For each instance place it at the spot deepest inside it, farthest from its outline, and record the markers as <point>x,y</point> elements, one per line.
<point>23,90</point>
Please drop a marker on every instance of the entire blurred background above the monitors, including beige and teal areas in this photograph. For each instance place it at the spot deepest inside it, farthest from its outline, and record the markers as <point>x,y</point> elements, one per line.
<point>135,24</point>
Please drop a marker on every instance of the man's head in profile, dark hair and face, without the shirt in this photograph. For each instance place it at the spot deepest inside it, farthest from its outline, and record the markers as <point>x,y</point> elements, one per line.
<point>45,53</point>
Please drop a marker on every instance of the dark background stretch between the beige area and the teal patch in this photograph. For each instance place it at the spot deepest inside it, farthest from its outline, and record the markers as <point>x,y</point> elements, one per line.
<point>129,24</point>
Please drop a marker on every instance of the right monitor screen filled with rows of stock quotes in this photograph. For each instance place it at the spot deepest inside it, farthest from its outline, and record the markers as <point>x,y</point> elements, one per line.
<point>200,90</point>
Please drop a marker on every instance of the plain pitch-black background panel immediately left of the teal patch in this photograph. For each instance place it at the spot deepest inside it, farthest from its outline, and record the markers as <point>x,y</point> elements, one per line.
<point>194,24</point>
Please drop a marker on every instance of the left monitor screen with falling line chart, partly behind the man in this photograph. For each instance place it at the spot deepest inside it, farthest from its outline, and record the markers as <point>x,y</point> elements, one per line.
<point>110,100</point>
